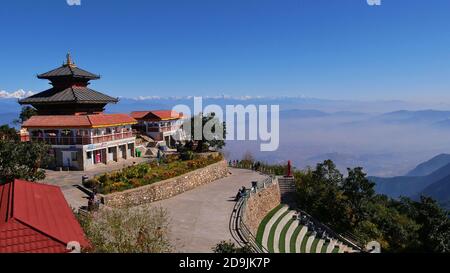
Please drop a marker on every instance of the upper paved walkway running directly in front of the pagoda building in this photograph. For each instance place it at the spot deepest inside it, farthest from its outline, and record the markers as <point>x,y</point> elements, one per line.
<point>69,181</point>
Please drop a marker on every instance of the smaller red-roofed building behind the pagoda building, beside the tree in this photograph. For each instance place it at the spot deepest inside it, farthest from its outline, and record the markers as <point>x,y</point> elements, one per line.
<point>161,125</point>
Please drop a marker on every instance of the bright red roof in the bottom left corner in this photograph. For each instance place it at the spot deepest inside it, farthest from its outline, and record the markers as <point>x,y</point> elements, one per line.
<point>35,218</point>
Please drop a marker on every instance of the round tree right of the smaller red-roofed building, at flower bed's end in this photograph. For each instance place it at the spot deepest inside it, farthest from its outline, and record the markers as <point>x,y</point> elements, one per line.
<point>210,131</point>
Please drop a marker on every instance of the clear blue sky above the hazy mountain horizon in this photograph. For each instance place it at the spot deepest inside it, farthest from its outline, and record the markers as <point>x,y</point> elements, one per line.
<point>342,49</point>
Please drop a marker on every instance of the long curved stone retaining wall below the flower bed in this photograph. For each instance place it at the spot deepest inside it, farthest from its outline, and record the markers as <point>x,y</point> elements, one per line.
<point>167,188</point>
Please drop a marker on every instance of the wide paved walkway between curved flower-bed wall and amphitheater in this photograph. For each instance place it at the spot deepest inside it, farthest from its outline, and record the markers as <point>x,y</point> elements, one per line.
<point>200,217</point>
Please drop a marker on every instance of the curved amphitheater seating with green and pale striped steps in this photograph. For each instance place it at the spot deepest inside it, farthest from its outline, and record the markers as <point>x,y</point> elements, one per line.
<point>280,232</point>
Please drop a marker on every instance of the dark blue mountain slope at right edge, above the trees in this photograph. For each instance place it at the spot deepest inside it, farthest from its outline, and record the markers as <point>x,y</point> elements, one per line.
<point>430,178</point>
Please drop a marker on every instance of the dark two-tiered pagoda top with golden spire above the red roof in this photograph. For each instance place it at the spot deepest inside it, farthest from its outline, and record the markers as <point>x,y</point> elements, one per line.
<point>69,94</point>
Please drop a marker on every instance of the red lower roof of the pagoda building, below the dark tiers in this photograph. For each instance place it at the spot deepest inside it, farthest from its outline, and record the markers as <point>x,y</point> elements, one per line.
<point>81,121</point>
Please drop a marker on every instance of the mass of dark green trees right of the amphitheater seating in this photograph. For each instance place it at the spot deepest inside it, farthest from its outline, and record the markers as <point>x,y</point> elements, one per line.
<point>350,205</point>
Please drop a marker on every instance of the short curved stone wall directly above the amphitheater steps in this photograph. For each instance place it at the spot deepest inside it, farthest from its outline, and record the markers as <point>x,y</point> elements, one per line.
<point>260,204</point>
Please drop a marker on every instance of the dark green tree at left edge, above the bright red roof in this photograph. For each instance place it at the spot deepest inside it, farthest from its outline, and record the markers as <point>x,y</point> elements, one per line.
<point>22,160</point>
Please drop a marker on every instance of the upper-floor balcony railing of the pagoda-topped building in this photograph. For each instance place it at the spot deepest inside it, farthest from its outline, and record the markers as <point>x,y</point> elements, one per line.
<point>85,140</point>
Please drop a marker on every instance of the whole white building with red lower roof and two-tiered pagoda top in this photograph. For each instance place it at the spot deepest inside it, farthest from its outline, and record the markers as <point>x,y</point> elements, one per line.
<point>71,119</point>
